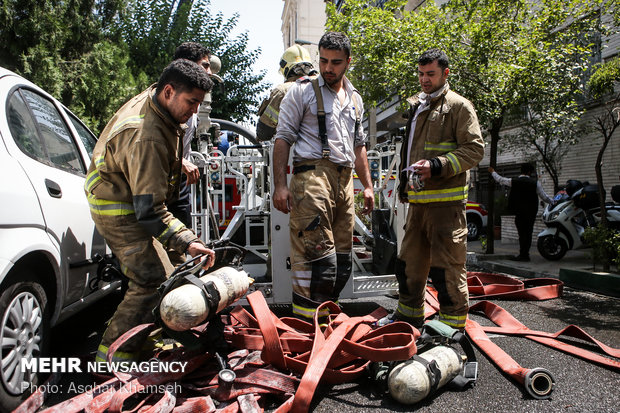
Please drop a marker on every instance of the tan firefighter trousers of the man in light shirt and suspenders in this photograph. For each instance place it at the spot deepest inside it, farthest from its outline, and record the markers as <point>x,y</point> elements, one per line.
<point>321,230</point>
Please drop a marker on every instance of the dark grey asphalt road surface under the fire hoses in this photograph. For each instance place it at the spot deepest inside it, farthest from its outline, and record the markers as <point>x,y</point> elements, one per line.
<point>580,385</point>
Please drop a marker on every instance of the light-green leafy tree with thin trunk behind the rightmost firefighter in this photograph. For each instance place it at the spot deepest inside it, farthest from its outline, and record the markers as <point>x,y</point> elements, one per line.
<point>504,53</point>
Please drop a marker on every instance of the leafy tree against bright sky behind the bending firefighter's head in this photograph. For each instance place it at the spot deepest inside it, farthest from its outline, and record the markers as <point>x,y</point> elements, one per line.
<point>155,28</point>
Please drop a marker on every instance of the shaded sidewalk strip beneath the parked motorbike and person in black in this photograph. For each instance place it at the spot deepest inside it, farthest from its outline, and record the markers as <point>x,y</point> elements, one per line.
<point>500,261</point>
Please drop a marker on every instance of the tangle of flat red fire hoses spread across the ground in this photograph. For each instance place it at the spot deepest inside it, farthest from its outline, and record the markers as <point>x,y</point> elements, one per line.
<point>334,354</point>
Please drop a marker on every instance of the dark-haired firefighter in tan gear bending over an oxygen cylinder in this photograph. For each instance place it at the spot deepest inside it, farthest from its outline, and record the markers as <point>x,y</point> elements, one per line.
<point>134,173</point>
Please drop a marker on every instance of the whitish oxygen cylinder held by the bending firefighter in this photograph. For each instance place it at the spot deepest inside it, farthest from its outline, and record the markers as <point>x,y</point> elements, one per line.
<point>185,306</point>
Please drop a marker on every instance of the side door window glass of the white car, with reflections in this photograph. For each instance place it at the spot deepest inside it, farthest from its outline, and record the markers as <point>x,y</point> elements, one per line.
<point>60,147</point>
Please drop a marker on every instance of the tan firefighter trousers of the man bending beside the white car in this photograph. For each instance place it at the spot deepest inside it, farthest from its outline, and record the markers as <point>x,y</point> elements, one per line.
<point>146,264</point>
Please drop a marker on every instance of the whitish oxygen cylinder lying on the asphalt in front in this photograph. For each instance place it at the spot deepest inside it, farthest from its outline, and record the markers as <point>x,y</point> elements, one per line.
<point>410,382</point>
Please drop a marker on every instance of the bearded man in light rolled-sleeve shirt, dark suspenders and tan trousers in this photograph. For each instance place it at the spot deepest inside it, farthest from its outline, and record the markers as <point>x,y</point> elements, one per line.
<point>321,117</point>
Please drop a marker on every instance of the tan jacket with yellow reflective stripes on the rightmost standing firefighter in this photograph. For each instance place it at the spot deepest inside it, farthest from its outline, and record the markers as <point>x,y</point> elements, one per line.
<point>448,134</point>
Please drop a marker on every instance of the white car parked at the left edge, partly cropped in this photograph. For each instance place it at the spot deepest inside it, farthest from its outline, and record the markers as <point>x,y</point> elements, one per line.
<point>50,253</point>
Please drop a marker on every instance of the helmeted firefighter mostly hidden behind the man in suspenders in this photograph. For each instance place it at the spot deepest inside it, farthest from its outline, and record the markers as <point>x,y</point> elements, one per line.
<point>295,63</point>
